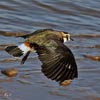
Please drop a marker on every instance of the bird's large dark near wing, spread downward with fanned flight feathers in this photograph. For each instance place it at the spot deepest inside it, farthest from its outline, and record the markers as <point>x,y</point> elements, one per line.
<point>58,63</point>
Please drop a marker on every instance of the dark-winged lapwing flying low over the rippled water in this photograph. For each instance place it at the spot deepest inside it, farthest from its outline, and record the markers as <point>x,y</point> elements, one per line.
<point>58,62</point>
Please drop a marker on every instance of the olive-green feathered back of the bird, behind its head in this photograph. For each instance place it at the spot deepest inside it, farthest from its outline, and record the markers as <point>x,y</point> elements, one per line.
<point>44,39</point>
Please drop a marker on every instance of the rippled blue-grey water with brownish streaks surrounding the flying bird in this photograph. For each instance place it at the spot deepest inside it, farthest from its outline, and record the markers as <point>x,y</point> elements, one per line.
<point>74,16</point>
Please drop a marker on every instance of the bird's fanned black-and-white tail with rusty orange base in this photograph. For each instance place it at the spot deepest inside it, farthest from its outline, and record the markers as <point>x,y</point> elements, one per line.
<point>17,51</point>
